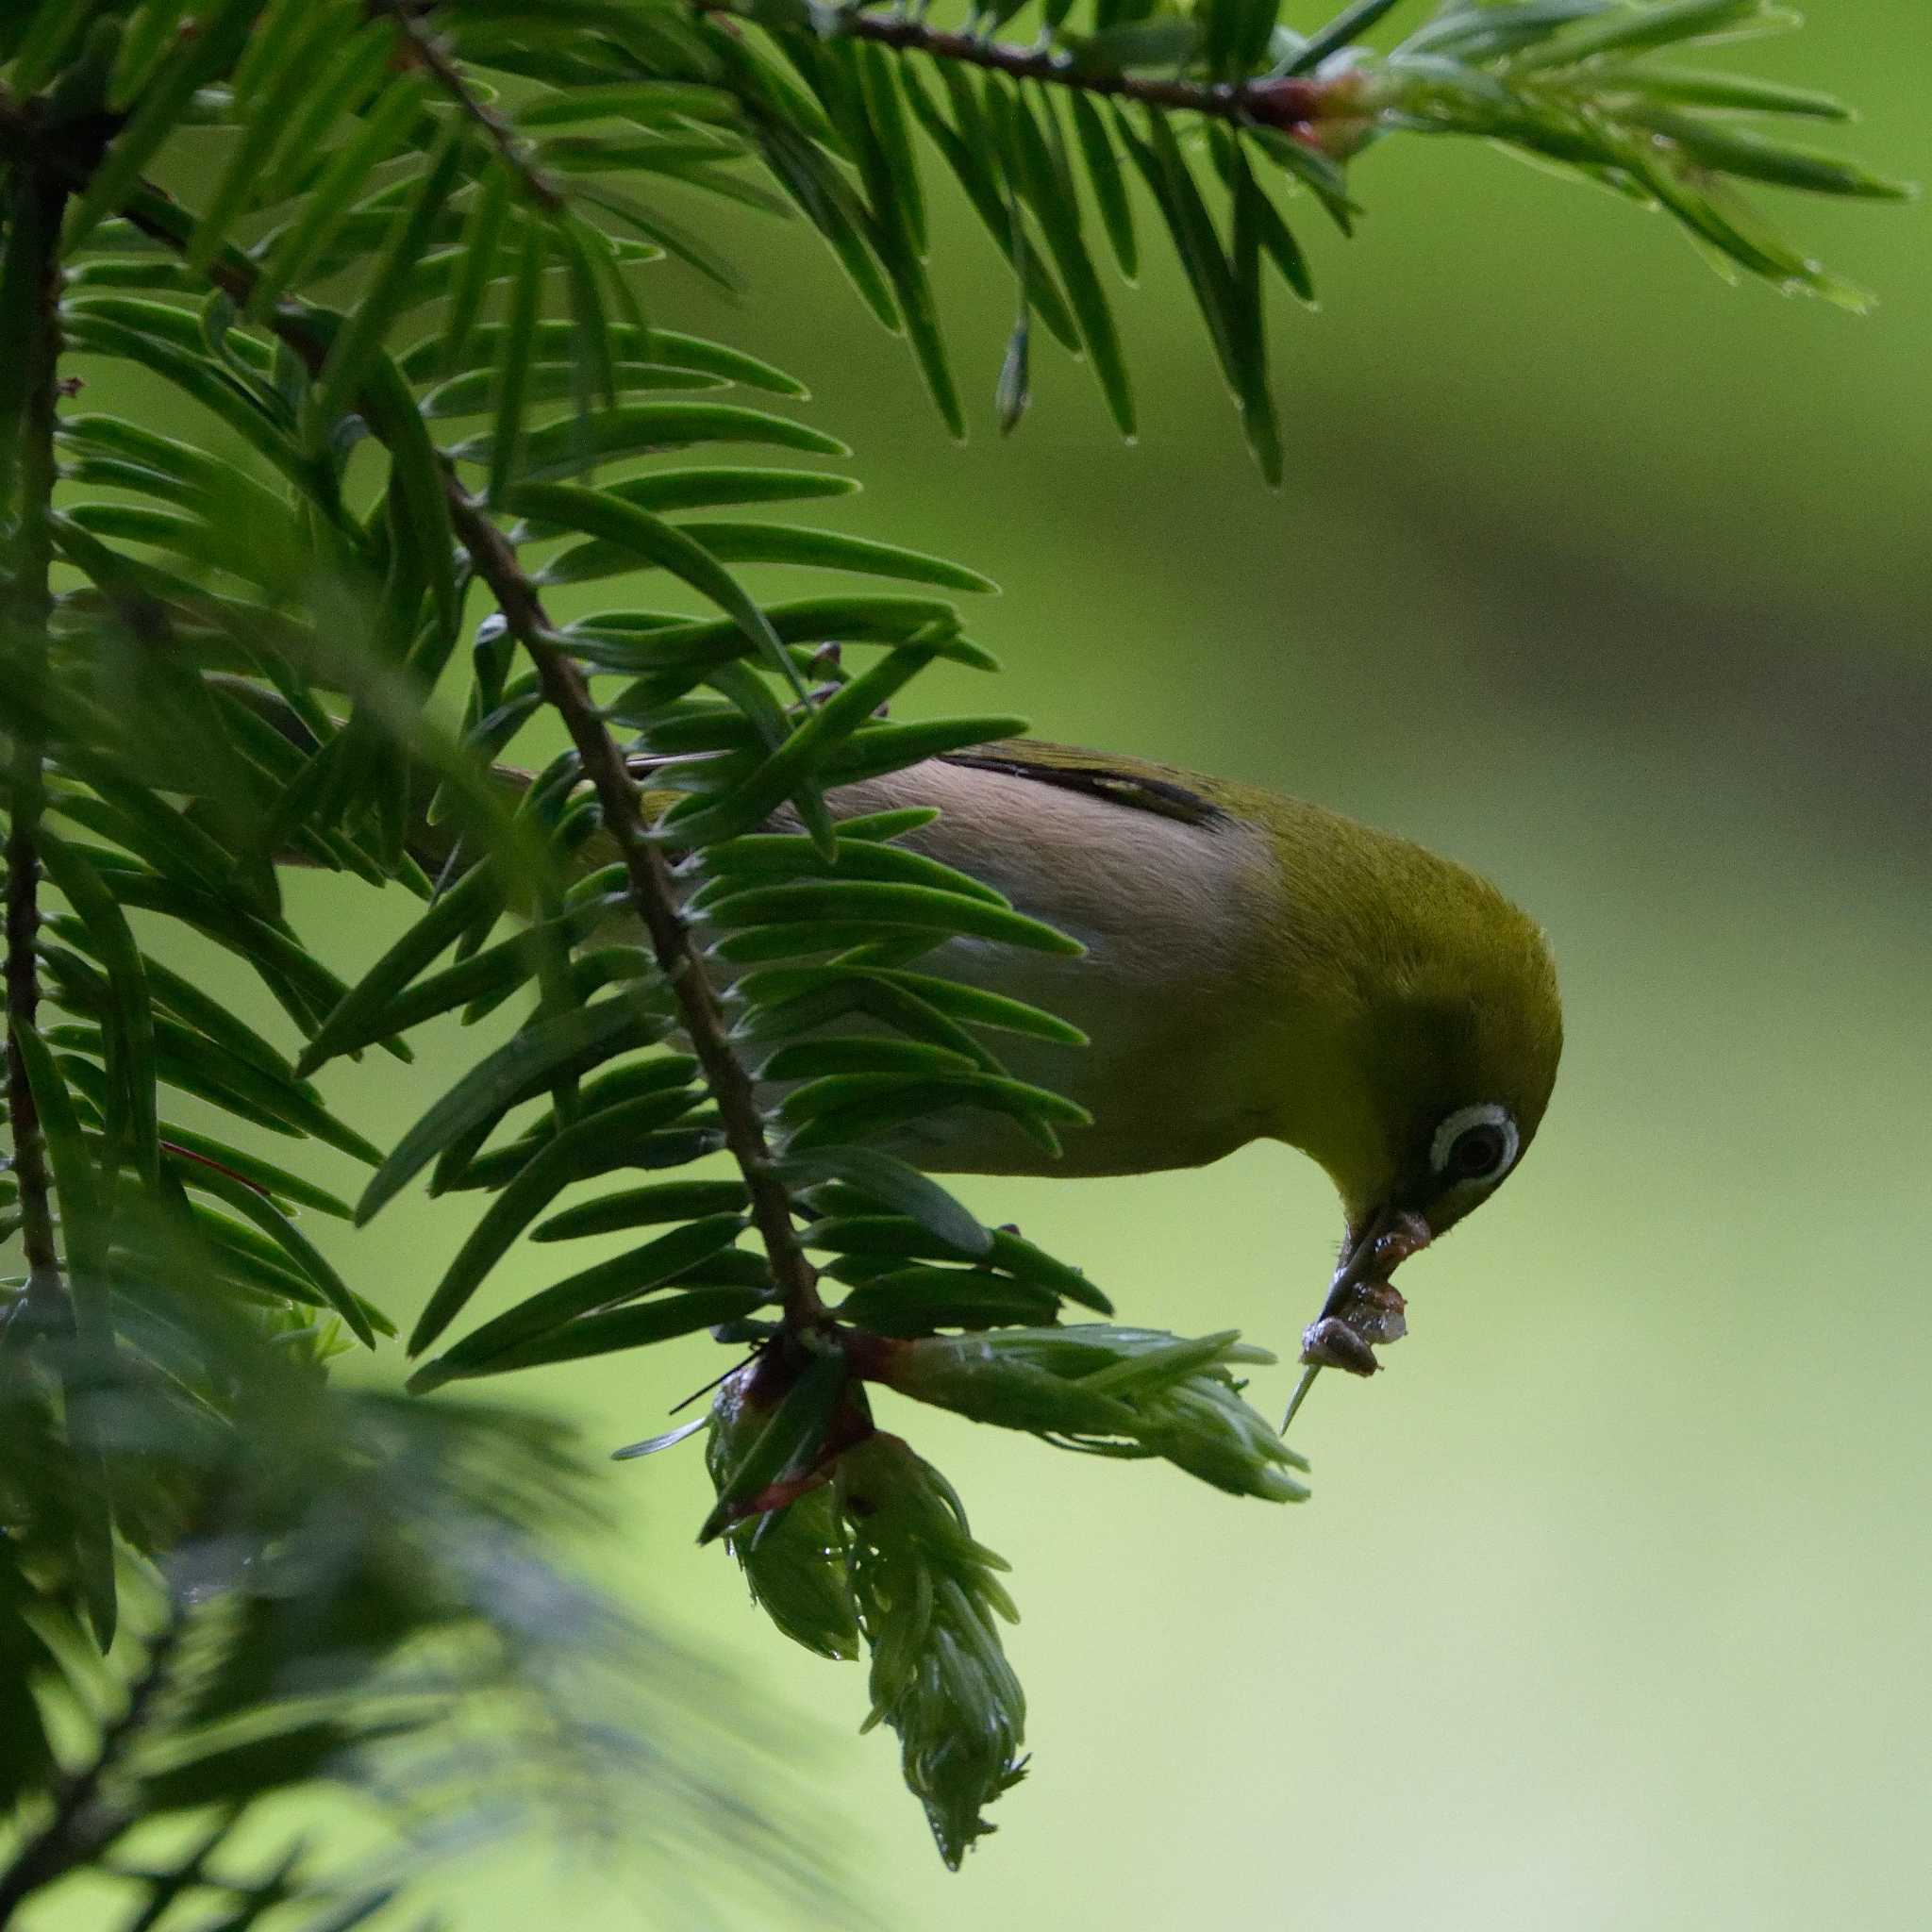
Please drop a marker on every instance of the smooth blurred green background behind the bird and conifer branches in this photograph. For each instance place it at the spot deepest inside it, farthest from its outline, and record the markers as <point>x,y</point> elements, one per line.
<point>1612,582</point>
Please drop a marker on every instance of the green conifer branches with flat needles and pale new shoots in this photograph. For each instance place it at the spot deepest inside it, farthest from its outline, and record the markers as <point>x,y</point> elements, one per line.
<point>411,306</point>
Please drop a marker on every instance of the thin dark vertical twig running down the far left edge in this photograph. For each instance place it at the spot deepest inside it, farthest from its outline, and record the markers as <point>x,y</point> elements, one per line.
<point>40,202</point>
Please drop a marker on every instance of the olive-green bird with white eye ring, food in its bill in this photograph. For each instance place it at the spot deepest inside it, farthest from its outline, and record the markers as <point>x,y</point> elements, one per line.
<point>1255,969</point>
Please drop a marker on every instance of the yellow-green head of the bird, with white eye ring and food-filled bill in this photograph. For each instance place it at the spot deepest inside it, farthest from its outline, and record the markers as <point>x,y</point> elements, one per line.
<point>1440,1065</point>
